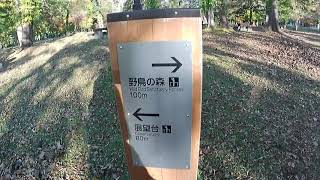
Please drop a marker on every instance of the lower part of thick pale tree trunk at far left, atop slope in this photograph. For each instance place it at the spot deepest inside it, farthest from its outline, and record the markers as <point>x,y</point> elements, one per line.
<point>24,33</point>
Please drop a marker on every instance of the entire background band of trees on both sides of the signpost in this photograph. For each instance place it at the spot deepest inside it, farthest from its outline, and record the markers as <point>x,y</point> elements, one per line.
<point>24,21</point>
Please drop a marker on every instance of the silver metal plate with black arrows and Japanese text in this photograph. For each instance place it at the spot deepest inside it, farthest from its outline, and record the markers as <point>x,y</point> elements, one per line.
<point>156,79</point>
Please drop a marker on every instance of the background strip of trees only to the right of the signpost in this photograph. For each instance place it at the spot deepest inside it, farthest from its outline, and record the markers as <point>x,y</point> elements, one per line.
<point>268,12</point>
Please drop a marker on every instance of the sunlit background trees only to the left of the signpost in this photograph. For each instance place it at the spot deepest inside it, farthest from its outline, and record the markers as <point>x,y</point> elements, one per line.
<point>24,21</point>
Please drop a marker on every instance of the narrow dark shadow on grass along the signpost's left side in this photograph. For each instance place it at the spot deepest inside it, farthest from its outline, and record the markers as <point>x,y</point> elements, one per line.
<point>103,130</point>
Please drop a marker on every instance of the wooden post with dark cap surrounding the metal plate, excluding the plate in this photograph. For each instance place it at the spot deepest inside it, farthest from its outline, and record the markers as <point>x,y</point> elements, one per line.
<point>154,26</point>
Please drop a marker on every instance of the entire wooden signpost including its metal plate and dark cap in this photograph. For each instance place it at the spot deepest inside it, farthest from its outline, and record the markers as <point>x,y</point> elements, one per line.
<point>157,74</point>
